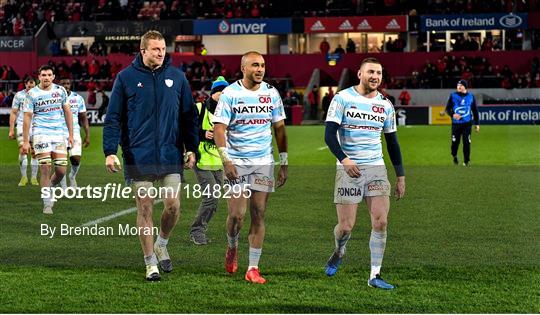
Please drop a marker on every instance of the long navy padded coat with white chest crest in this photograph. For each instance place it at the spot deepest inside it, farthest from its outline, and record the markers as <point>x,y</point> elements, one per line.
<point>152,116</point>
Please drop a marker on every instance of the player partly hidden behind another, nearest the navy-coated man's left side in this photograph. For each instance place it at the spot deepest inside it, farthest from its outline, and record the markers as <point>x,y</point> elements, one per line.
<point>78,110</point>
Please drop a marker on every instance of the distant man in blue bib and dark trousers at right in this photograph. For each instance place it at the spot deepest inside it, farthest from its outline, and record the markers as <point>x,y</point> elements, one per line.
<point>461,106</point>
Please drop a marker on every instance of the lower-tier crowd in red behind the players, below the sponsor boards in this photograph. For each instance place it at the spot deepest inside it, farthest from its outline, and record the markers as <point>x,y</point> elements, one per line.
<point>94,76</point>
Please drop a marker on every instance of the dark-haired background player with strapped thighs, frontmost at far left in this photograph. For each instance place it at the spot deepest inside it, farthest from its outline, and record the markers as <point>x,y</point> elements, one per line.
<point>46,107</point>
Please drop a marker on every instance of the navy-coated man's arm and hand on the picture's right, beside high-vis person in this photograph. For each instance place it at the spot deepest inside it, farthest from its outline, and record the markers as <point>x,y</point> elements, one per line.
<point>189,123</point>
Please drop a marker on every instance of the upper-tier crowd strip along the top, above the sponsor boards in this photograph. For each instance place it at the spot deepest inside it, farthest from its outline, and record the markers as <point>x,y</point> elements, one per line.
<point>24,17</point>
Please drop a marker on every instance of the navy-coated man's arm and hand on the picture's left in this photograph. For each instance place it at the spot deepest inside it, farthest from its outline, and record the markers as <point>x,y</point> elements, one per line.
<point>112,126</point>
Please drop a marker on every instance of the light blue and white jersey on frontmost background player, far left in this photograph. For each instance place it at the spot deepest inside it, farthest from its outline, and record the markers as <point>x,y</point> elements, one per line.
<point>47,108</point>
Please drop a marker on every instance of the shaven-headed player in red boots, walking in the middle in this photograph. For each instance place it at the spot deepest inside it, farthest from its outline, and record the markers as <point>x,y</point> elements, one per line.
<point>246,112</point>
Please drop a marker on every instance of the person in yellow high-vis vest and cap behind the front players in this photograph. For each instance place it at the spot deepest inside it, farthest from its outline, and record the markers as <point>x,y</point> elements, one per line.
<point>209,169</point>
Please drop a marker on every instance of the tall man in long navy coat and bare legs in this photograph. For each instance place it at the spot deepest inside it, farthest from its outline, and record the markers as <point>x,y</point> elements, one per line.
<point>152,116</point>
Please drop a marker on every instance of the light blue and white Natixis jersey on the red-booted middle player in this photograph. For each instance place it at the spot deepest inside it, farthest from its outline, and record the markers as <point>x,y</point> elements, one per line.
<point>249,116</point>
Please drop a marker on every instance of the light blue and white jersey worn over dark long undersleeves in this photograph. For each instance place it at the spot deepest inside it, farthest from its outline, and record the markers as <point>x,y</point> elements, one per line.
<point>361,121</point>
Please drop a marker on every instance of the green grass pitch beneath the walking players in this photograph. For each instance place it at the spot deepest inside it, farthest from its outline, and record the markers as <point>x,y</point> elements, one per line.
<point>463,240</point>
